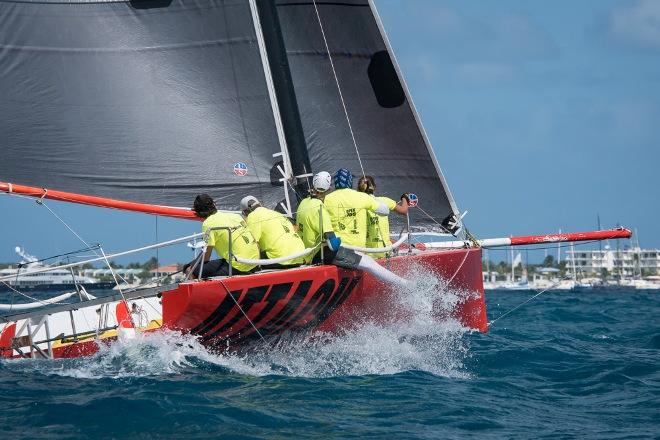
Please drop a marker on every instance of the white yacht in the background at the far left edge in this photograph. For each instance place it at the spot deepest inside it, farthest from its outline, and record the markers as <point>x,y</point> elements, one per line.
<point>54,280</point>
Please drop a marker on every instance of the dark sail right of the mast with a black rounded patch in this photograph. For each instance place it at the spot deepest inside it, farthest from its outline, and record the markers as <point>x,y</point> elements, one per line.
<point>390,141</point>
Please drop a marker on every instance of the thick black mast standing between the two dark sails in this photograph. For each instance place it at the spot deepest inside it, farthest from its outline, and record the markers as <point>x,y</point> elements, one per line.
<point>285,94</point>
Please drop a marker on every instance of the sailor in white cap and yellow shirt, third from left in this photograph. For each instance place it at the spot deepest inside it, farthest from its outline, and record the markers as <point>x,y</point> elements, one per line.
<point>313,220</point>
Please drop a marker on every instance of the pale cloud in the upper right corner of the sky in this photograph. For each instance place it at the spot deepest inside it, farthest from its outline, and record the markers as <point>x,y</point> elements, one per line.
<point>638,25</point>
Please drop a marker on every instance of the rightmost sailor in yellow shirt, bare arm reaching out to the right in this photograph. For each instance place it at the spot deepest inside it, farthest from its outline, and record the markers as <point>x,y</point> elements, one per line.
<point>378,228</point>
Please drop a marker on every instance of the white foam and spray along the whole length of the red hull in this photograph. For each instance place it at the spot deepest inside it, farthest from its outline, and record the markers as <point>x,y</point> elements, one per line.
<point>419,343</point>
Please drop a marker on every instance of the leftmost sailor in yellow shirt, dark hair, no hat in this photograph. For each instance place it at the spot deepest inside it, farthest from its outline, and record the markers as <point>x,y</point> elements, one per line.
<point>243,243</point>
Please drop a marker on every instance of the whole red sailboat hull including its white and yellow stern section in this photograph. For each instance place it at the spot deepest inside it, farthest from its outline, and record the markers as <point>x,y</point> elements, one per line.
<point>233,311</point>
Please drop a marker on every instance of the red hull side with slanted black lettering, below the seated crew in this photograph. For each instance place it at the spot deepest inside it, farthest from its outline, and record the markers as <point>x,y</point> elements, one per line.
<point>325,298</point>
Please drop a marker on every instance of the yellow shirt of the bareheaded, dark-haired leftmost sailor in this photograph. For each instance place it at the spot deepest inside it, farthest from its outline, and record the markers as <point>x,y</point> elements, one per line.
<point>243,243</point>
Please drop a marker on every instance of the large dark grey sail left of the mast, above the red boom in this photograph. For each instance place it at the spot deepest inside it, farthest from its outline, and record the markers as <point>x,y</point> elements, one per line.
<point>151,101</point>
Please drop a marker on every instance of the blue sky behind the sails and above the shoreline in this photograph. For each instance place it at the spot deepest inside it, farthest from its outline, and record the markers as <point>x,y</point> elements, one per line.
<point>542,114</point>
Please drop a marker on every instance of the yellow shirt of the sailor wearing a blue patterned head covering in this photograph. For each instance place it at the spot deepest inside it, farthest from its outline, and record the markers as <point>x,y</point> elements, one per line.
<point>348,214</point>
